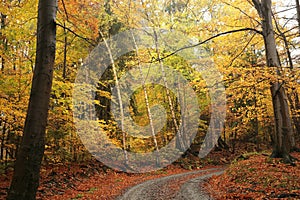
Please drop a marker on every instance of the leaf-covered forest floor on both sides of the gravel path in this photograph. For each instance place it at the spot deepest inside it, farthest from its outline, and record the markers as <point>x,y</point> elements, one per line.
<point>251,176</point>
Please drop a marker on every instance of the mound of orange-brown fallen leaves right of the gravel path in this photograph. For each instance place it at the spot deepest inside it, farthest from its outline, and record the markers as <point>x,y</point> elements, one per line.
<point>257,177</point>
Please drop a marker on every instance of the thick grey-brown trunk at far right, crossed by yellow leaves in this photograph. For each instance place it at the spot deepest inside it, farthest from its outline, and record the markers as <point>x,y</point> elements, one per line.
<point>283,126</point>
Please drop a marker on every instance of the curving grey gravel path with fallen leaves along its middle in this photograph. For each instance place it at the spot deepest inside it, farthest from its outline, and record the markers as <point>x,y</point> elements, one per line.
<point>186,185</point>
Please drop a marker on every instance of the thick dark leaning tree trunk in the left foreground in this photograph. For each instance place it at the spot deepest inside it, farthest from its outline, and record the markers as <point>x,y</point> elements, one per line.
<point>26,172</point>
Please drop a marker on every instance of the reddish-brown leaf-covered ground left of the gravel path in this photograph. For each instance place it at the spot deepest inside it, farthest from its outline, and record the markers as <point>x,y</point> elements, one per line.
<point>86,181</point>
